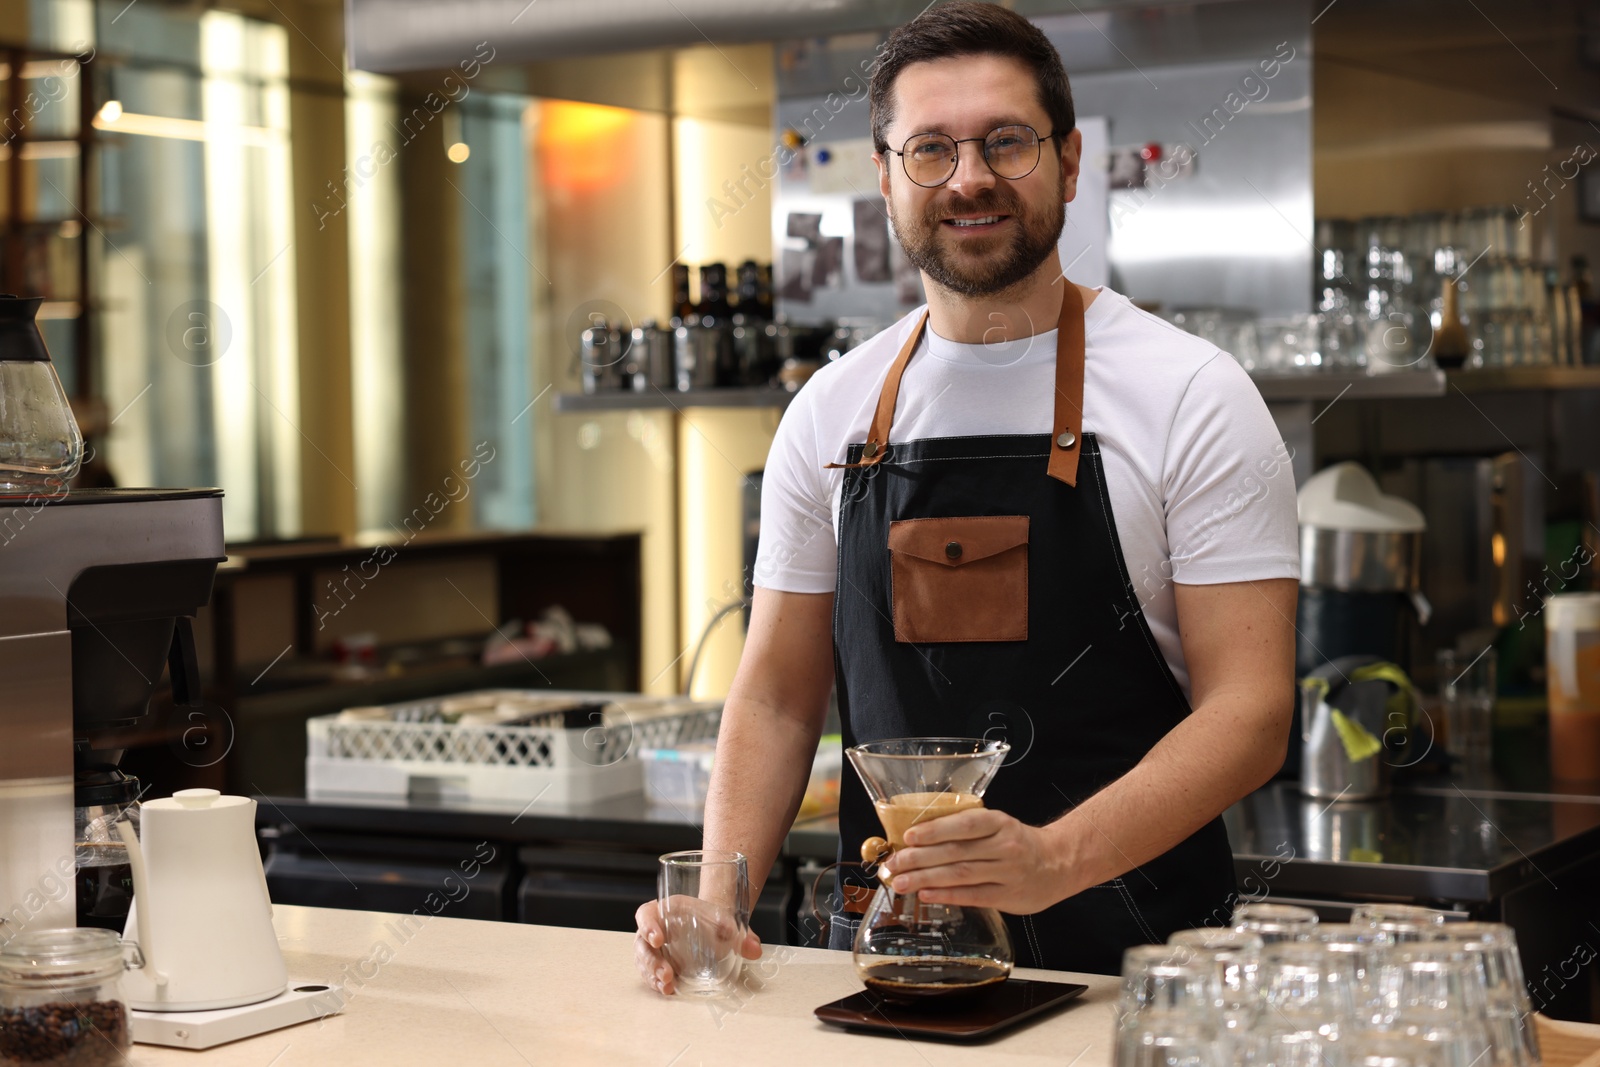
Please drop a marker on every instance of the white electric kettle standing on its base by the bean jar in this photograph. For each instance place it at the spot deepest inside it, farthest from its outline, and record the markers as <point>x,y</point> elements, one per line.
<point>201,908</point>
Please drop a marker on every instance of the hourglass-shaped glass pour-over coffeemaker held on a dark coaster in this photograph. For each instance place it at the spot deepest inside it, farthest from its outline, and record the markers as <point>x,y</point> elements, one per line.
<point>908,949</point>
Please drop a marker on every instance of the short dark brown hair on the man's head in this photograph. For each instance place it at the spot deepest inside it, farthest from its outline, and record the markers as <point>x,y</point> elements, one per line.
<point>970,28</point>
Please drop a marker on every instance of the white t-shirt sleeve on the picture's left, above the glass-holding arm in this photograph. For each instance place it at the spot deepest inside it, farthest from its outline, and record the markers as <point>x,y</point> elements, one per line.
<point>798,549</point>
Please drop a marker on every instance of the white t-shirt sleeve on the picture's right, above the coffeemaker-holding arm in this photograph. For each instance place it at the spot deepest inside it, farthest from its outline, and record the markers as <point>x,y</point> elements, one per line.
<point>1228,484</point>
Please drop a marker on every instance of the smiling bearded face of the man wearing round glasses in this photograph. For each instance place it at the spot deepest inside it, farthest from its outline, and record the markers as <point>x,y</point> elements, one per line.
<point>967,97</point>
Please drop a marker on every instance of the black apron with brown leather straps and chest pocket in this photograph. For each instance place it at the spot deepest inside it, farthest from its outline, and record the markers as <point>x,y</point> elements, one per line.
<point>983,594</point>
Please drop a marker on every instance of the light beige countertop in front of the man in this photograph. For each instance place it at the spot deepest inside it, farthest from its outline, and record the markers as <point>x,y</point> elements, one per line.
<point>502,994</point>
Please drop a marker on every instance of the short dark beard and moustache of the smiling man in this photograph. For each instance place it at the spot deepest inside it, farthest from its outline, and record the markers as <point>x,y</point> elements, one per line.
<point>982,266</point>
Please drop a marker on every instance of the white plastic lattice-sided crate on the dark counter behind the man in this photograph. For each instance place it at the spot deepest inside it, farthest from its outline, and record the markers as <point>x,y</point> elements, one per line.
<point>396,753</point>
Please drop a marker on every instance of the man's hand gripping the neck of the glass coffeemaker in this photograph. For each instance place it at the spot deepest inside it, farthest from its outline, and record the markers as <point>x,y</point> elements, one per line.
<point>982,858</point>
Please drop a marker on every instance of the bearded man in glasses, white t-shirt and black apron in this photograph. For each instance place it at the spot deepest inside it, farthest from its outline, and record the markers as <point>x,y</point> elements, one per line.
<point>1028,511</point>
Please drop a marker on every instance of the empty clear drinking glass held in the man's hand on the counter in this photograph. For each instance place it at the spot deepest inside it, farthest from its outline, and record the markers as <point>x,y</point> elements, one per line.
<point>706,909</point>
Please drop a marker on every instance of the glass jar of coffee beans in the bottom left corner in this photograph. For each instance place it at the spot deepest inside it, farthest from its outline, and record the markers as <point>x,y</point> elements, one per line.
<point>60,1004</point>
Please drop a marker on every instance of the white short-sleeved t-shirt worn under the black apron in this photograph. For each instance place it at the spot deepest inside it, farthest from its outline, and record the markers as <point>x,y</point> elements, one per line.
<point>1198,474</point>
